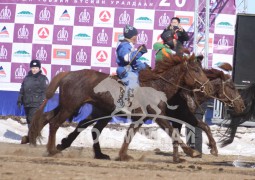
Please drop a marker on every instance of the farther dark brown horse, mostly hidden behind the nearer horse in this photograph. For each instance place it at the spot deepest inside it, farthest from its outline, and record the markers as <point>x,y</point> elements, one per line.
<point>224,90</point>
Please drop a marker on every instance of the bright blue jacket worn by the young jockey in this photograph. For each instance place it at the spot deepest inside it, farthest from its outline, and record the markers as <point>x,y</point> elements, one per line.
<point>126,53</point>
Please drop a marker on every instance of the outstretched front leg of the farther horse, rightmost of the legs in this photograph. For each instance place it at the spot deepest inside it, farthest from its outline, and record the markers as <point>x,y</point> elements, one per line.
<point>212,143</point>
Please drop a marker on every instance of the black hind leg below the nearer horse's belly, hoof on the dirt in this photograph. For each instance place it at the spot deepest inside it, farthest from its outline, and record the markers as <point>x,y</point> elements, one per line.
<point>96,132</point>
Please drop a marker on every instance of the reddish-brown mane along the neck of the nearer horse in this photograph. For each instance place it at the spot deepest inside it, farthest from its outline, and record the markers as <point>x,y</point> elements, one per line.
<point>161,67</point>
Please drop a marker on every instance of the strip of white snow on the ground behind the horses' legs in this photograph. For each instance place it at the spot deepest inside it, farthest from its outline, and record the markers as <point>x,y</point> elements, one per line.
<point>149,138</point>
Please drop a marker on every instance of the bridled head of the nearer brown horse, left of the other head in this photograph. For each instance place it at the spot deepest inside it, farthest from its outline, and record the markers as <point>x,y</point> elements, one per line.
<point>194,76</point>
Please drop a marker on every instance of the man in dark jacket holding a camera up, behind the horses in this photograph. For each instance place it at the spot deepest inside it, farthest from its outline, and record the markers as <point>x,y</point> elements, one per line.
<point>175,30</point>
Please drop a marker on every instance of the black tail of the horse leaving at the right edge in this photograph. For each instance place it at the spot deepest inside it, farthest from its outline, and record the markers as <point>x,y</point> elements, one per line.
<point>248,95</point>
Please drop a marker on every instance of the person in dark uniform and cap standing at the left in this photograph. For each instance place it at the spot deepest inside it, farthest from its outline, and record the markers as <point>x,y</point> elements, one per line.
<point>32,92</point>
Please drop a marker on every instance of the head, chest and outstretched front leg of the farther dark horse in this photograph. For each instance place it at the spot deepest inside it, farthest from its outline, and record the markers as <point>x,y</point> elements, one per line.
<point>224,90</point>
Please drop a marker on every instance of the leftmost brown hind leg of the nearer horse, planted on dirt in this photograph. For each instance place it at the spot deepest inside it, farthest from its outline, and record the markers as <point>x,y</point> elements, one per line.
<point>54,125</point>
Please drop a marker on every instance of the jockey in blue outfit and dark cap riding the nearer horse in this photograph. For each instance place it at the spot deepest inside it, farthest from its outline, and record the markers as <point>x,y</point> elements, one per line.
<point>128,62</point>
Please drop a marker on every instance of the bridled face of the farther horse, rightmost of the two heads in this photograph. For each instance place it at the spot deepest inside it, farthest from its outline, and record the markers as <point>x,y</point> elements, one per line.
<point>230,96</point>
